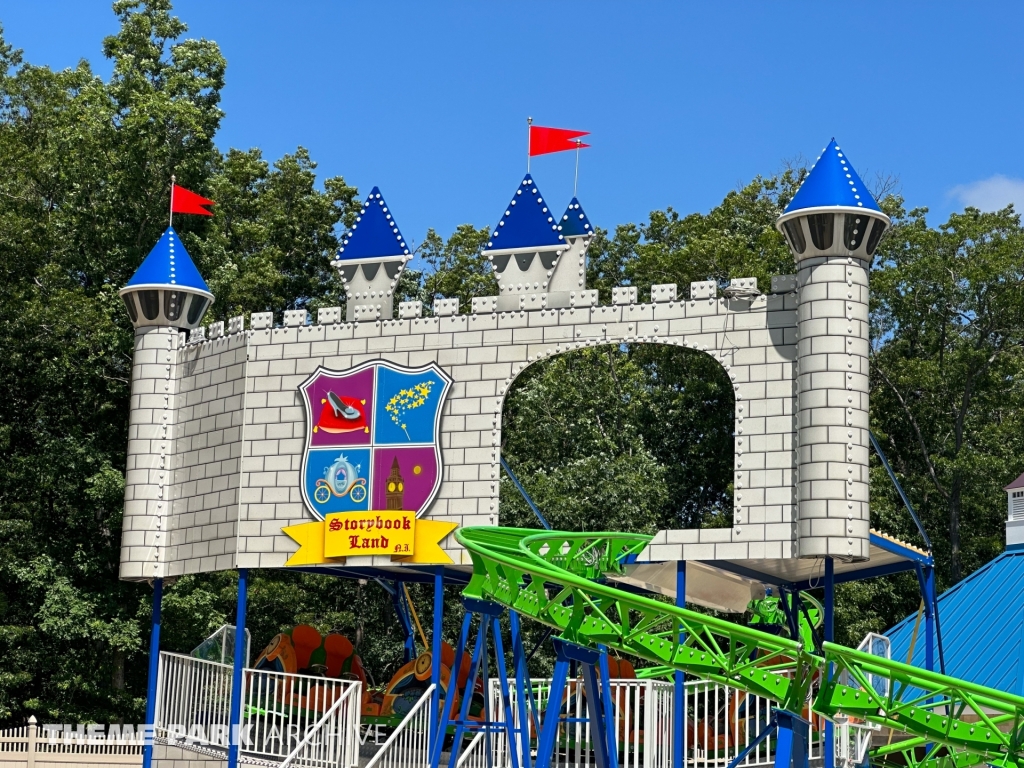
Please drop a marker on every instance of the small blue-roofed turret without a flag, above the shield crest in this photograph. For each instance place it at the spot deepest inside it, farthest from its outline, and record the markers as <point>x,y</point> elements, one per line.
<point>373,242</point>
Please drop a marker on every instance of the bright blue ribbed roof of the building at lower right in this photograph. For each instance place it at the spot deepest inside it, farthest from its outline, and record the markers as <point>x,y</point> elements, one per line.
<point>982,621</point>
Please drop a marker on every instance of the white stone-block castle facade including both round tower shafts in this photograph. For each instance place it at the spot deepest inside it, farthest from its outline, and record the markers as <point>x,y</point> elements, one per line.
<point>219,430</point>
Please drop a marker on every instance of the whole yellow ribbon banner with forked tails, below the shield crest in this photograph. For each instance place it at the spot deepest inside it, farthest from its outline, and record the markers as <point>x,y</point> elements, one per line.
<point>425,547</point>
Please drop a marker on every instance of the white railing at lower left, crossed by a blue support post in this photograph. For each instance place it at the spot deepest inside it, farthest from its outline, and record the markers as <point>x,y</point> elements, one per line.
<point>303,719</point>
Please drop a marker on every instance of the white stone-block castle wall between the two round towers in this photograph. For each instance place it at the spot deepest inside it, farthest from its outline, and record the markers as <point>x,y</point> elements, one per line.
<point>240,425</point>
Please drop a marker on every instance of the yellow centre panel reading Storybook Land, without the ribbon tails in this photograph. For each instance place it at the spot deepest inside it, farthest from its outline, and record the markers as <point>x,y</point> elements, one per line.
<point>349,534</point>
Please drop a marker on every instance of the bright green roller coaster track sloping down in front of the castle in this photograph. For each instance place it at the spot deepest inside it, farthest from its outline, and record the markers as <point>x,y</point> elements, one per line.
<point>558,579</point>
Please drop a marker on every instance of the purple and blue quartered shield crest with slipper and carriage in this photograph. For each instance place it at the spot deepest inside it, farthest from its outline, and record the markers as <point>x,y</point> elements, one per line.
<point>373,438</point>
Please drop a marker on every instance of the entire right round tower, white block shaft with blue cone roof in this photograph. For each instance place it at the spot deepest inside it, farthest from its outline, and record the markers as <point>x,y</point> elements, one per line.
<point>833,227</point>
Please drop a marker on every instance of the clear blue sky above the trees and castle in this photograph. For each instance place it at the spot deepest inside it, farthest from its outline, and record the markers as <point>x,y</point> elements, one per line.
<point>685,101</point>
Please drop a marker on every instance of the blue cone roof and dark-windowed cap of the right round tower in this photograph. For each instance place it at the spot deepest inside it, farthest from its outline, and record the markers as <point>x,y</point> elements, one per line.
<point>833,211</point>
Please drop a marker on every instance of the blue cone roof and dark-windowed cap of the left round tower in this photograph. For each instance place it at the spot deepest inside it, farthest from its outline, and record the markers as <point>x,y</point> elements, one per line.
<point>167,289</point>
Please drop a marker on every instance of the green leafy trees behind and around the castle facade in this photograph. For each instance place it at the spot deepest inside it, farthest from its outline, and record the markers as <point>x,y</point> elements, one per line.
<point>637,438</point>
